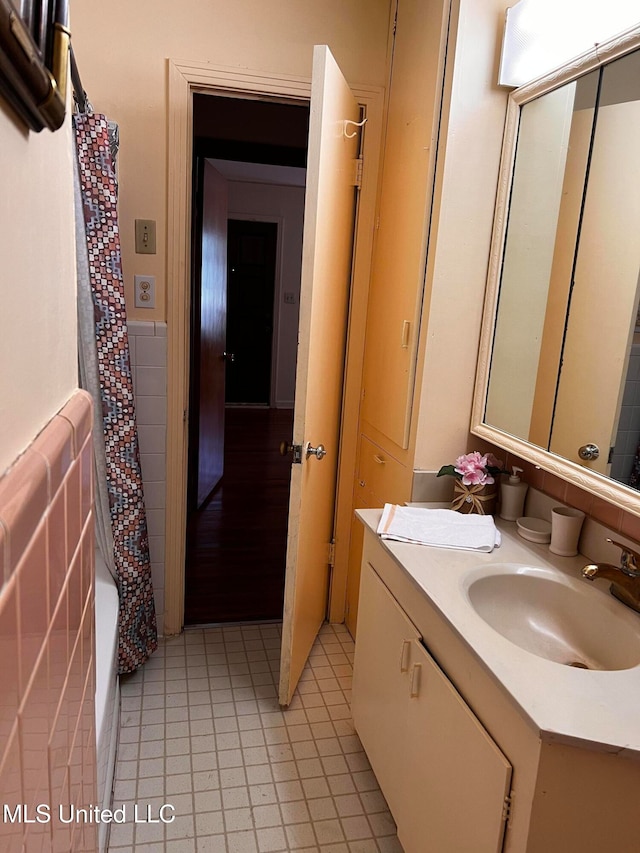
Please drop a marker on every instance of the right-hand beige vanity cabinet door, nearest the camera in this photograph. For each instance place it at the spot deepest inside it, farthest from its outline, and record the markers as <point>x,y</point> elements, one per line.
<point>456,778</point>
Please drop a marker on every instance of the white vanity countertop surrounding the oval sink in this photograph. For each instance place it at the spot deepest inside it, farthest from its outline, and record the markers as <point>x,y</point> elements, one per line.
<point>591,708</point>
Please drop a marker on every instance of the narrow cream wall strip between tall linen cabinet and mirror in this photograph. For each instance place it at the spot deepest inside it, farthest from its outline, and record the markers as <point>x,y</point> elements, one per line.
<point>461,236</point>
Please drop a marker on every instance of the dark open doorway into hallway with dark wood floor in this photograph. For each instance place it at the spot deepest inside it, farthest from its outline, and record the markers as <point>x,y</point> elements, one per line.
<point>236,541</point>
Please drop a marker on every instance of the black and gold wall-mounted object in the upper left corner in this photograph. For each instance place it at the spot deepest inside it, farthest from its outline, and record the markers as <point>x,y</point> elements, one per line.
<point>34,60</point>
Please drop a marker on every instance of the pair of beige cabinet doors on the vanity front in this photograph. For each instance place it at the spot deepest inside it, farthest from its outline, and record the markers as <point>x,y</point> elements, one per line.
<point>446,782</point>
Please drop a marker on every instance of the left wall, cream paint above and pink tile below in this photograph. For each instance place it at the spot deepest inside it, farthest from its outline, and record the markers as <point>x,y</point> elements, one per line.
<point>46,540</point>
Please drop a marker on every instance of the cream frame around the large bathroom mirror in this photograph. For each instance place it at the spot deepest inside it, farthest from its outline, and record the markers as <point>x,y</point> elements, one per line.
<point>597,484</point>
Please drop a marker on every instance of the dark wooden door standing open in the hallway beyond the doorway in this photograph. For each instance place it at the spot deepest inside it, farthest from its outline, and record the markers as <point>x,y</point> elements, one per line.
<point>210,334</point>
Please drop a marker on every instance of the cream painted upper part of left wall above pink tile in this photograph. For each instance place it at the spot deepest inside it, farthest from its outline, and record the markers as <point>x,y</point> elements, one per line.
<point>37,250</point>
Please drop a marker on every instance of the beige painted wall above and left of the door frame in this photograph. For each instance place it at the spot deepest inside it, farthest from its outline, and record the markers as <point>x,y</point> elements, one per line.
<point>122,51</point>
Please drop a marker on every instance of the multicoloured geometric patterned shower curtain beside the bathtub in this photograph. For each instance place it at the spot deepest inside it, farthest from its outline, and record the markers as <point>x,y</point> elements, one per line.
<point>98,187</point>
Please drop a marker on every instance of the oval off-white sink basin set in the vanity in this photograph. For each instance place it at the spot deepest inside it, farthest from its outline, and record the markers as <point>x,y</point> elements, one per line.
<point>555,616</point>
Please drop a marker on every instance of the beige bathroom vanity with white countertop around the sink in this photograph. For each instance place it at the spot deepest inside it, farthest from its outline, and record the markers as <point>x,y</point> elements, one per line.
<point>479,746</point>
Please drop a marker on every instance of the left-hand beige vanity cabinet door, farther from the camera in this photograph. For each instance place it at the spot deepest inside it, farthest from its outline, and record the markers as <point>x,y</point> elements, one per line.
<point>384,640</point>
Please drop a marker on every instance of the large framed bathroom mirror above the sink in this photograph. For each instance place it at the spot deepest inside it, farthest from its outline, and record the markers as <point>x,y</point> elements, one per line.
<point>560,355</point>
